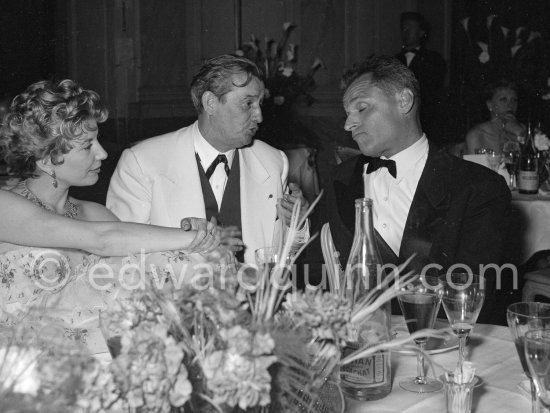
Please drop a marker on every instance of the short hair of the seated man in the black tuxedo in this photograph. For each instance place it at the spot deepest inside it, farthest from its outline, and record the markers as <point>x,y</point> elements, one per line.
<point>387,73</point>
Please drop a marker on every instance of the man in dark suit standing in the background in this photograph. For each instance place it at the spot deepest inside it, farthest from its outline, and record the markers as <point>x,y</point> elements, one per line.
<point>427,65</point>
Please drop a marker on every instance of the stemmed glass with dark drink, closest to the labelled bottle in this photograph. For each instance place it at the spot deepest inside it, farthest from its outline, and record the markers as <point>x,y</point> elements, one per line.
<point>419,304</point>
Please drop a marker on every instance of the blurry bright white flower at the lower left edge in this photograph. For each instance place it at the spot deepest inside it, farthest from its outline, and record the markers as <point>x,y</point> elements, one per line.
<point>18,370</point>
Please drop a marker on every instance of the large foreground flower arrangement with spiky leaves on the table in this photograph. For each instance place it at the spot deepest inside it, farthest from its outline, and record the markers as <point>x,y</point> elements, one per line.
<point>229,340</point>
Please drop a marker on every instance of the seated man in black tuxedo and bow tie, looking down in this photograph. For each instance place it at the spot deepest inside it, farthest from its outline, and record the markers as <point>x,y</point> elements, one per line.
<point>445,210</point>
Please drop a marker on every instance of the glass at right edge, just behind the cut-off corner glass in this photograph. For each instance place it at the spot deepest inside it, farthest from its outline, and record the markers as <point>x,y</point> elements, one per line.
<point>522,317</point>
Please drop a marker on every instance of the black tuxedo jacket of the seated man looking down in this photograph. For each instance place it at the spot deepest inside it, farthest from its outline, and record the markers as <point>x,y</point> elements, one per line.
<point>457,216</point>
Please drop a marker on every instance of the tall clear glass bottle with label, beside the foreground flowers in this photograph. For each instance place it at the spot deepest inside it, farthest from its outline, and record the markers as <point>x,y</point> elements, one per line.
<point>368,378</point>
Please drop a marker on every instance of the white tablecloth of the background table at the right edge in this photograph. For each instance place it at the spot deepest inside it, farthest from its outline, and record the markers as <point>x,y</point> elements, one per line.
<point>530,227</point>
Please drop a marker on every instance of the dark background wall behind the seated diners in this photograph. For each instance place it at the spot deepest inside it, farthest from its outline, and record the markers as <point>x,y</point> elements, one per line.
<point>140,55</point>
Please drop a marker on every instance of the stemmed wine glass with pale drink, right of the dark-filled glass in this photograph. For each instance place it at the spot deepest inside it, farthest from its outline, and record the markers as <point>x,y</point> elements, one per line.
<point>462,295</point>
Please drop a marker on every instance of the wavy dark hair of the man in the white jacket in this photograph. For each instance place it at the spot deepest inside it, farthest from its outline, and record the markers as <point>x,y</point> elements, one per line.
<point>216,76</point>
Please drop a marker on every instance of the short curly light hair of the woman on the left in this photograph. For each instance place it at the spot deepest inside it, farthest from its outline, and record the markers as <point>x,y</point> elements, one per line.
<point>45,120</point>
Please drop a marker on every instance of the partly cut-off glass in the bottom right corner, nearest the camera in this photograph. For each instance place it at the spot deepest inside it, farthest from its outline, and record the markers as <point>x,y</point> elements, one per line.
<point>537,358</point>
